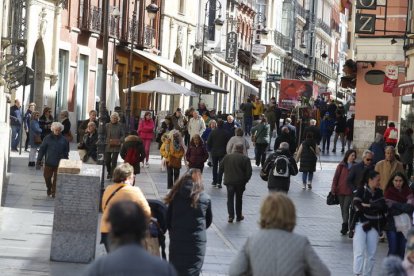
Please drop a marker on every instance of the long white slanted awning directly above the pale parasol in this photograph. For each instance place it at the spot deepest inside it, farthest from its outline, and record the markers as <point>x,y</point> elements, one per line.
<point>180,72</point>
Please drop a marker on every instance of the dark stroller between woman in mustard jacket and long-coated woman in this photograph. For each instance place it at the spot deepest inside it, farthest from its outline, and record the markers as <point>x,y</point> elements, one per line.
<point>158,227</point>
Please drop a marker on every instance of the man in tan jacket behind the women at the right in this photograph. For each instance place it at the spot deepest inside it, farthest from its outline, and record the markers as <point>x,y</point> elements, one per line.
<point>388,166</point>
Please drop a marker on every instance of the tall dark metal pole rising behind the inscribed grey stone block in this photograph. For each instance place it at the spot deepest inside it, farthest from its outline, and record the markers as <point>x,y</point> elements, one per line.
<point>103,112</point>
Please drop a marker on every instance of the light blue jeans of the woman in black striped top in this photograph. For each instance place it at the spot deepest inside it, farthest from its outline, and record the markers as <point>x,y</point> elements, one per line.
<point>365,246</point>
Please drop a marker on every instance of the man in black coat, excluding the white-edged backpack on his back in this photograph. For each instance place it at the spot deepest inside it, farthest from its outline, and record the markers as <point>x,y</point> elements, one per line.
<point>277,183</point>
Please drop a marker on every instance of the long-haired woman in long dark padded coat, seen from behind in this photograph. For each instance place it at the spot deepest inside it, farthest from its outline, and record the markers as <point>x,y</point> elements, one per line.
<point>189,215</point>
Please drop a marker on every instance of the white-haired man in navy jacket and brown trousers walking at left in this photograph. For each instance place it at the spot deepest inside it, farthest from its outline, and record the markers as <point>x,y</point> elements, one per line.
<point>53,148</point>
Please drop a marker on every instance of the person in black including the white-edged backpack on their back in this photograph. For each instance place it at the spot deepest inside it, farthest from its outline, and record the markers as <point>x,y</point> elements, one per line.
<point>278,168</point>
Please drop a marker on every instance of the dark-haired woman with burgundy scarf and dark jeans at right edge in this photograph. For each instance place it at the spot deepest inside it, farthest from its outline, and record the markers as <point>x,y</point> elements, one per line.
<point>398,197</point>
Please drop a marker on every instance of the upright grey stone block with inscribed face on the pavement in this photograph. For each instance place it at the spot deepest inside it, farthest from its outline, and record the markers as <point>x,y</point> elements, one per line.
<point>76,213</point>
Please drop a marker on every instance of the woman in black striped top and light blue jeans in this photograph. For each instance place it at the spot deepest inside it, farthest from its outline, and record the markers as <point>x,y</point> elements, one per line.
<point>370,206</point>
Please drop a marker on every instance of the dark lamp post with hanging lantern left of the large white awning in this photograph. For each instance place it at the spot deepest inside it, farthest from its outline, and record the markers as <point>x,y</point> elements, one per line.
<point>152,10</point>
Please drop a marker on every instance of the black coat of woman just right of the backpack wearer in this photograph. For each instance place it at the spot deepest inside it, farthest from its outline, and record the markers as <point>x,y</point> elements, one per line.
<point>308,155</point>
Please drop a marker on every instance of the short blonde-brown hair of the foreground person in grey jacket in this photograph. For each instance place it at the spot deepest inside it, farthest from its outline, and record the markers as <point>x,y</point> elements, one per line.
<point>278,212</point>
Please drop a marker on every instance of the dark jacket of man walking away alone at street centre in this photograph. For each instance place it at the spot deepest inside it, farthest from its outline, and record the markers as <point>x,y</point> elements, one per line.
<point>237,169</point>
